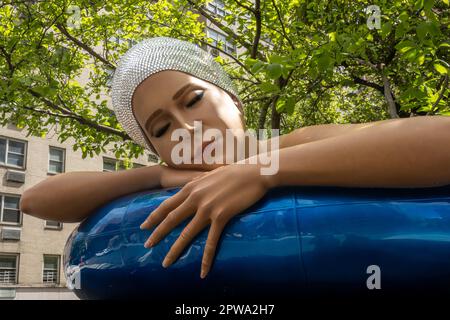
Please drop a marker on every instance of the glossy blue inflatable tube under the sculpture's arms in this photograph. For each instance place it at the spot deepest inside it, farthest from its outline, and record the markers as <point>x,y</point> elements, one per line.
<point>295,240</point>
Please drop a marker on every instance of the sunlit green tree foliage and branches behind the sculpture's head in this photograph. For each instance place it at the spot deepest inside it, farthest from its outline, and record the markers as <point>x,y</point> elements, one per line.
<point>300,62</point>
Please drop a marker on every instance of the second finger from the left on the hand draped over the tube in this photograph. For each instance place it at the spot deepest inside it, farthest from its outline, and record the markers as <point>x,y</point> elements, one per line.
<point>174,218</point>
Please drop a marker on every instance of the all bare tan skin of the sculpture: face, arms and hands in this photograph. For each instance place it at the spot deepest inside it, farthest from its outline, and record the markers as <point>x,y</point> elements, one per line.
<point>412,152</point>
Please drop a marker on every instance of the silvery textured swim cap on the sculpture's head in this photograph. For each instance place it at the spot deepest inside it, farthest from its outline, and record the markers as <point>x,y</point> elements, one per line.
<point>154,55</point>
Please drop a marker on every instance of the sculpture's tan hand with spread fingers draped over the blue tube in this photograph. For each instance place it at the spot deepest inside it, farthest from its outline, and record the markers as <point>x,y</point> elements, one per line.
<point>213,198</point>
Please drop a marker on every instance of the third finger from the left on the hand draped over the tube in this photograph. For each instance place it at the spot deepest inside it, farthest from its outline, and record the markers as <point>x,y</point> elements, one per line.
<point>194,227</point>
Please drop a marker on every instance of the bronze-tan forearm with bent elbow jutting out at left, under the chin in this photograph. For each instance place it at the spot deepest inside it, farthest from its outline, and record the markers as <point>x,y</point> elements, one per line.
<point>71,196</point>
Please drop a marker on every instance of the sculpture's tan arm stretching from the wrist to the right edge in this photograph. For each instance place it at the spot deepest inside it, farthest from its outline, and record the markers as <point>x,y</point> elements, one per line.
<point>409,152</point>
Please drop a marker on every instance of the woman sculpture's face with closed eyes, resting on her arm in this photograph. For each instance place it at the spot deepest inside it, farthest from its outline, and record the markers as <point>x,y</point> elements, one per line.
<point>170,100</point>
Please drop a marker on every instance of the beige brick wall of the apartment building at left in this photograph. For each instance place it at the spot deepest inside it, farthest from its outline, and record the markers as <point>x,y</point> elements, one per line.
<point>36,240</point>
